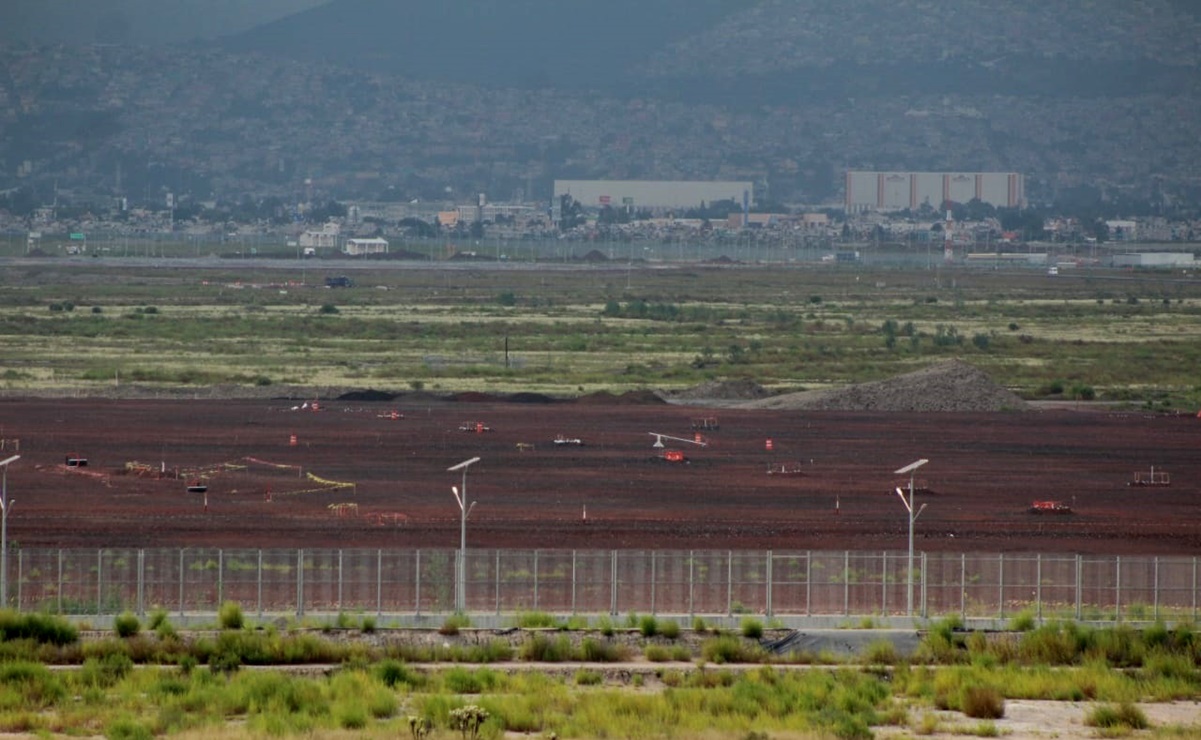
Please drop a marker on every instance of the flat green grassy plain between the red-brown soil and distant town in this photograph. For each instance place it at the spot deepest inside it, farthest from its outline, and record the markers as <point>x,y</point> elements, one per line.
<point>1126,337</point>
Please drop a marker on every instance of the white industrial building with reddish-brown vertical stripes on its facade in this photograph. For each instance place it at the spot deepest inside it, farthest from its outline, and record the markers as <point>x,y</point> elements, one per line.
<point>900,190</point>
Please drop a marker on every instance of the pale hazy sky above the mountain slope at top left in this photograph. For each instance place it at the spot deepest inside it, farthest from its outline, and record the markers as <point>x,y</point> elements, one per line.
<point>142,22</point>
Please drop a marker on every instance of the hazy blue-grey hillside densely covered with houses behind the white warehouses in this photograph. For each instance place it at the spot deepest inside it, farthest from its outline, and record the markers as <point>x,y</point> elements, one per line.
<point>423,100</point>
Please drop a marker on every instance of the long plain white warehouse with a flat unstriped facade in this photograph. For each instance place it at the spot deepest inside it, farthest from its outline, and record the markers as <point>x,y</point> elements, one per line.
<point>653,195</point>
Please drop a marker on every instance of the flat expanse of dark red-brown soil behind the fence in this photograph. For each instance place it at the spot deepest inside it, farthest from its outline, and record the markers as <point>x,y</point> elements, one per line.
<point>985,470</point>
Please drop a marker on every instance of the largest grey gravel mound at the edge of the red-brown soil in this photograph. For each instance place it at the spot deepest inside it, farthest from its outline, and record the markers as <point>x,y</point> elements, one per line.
<point>949,386</point>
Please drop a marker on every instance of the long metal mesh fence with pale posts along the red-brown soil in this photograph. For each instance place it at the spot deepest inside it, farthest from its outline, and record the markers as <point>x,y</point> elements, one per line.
<point>706,583</point>
